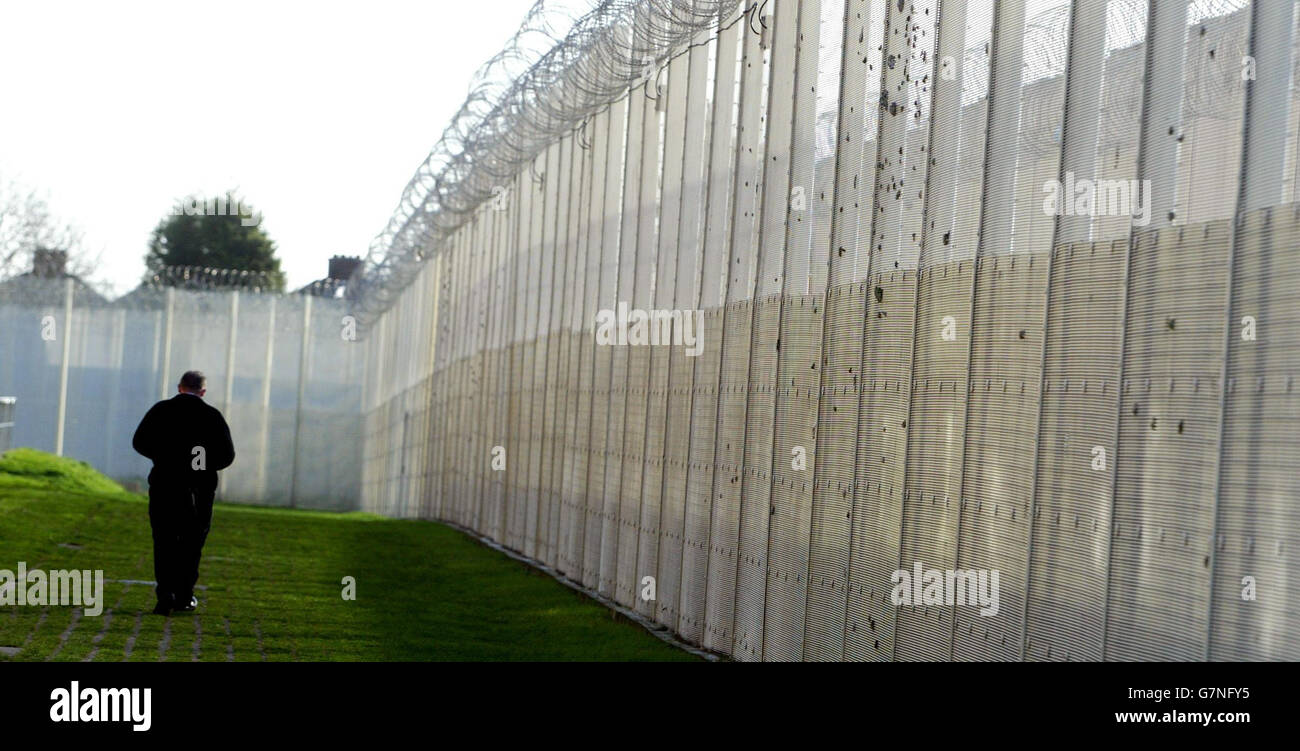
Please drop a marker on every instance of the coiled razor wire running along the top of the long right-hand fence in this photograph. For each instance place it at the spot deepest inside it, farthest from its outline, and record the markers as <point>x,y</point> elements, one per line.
<point>521,102</point>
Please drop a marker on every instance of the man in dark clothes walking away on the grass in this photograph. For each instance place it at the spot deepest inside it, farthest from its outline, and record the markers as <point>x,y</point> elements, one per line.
<point>189,441</point>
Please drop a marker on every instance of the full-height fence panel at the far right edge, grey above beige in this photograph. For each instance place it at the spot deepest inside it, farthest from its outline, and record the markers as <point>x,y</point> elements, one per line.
<point>1256,523</point>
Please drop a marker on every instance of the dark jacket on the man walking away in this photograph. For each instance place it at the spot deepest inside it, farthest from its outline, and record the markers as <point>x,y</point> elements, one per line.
<point>170,435</point>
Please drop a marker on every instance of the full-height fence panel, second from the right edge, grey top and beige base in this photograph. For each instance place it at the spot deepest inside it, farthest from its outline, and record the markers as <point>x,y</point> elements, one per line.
<point>1180,276</point>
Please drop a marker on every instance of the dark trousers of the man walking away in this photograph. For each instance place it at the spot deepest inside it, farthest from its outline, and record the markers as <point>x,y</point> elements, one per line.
<point>180,518</point>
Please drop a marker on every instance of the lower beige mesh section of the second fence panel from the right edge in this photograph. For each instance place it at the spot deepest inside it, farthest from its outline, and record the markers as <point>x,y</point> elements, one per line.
<point>1168,432</point>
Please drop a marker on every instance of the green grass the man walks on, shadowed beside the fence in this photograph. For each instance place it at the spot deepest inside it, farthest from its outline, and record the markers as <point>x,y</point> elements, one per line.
<point>424,592</point>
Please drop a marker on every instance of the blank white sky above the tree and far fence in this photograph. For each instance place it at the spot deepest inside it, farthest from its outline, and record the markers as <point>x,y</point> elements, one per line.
<point>318,112</point>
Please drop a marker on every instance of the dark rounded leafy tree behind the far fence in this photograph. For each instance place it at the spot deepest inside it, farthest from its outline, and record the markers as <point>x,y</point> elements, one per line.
<point>214,236</point>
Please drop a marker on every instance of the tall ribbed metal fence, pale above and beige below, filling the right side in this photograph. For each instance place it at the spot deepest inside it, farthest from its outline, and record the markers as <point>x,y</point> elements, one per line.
<point>985,286</point>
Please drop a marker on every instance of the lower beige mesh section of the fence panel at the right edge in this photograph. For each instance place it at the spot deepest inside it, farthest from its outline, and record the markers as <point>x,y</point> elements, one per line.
<point>1256,513</point>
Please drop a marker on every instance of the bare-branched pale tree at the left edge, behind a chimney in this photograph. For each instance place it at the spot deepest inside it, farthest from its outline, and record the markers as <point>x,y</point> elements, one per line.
<point>28,225</point>
